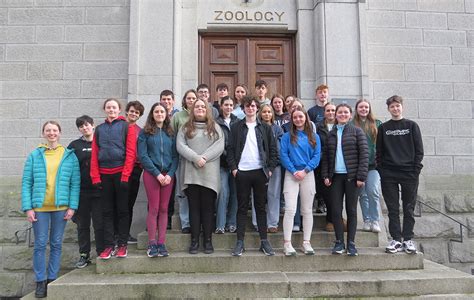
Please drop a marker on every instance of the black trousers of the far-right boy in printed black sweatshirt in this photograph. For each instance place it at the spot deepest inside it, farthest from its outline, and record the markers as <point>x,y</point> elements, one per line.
<point>391,194</point>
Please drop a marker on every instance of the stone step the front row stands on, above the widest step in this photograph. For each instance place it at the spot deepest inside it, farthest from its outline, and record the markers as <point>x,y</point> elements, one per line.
<point>256,261</point>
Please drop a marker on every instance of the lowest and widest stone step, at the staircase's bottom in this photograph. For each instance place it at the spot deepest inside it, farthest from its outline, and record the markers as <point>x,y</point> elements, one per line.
<point>433,280</point>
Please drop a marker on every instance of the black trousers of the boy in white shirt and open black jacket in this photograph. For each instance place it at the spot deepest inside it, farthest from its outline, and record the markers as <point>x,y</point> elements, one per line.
<point>247,181</point>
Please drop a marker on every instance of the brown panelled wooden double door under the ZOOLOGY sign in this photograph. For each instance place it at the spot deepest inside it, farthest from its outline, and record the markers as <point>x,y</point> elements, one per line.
<point>234,59</point>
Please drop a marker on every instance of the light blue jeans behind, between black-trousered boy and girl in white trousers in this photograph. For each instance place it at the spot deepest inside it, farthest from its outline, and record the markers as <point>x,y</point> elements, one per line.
<point>273,200</point>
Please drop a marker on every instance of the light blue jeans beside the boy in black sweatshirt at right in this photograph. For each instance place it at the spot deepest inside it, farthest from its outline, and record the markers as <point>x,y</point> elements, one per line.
<point>369,197</point>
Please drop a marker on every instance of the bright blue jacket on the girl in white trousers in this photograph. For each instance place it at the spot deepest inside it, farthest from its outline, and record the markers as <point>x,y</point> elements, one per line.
<point>299,156</point>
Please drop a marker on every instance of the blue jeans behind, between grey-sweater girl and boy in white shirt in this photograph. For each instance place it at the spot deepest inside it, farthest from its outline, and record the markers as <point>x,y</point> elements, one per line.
<point>226,205</point>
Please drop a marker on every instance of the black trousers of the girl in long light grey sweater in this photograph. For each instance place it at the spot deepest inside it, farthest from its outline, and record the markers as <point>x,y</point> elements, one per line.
<point>201,210</point>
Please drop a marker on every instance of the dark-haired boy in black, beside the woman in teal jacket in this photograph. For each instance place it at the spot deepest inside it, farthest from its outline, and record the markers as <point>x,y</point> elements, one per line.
<point>89,201</point>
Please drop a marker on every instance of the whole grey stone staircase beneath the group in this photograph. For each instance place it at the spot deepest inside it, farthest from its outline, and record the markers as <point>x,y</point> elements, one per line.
<point>254,275</point>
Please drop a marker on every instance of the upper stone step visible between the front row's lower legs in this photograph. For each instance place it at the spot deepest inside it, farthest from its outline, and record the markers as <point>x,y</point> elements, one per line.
<point>177,241</point>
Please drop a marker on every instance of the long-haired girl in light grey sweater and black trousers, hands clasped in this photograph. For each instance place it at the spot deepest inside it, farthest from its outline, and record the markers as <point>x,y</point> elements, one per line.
<point>200,142</point>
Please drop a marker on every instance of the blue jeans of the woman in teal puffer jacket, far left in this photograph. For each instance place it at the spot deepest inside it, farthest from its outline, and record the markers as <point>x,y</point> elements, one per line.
<point>41,229</point>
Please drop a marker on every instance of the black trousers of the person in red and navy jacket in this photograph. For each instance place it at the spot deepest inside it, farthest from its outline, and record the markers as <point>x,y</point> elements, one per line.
<point>114,209</point>
